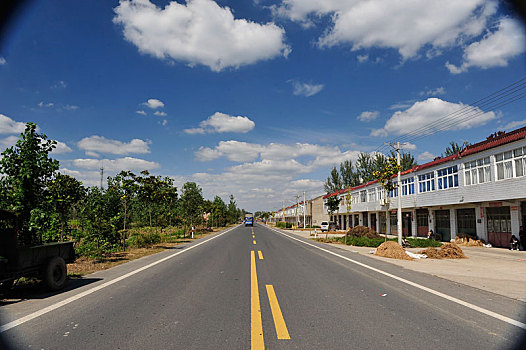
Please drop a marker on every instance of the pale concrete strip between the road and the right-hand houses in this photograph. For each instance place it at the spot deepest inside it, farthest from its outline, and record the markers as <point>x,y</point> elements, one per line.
<point>497,270</point>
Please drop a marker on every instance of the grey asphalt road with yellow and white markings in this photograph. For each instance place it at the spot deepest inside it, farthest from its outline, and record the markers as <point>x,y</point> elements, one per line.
<point>259,288</point>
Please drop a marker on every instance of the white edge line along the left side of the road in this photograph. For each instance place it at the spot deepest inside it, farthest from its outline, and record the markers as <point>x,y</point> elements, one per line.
<point>55,306</point>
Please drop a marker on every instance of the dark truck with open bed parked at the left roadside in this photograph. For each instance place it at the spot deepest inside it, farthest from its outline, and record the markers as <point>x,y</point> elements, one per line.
<point>46,262</point>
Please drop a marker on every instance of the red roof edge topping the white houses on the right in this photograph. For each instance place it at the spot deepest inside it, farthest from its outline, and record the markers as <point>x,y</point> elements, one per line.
<point>494,140</point>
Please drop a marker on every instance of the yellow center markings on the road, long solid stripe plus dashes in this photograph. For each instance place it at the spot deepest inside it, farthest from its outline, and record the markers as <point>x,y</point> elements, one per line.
<point>257,341</point>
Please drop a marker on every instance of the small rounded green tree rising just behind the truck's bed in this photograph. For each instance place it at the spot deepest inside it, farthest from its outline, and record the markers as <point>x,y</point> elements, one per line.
<point>64,192</point>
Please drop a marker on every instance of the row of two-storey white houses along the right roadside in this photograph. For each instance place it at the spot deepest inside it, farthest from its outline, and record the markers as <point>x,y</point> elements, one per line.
<point>479,191</point>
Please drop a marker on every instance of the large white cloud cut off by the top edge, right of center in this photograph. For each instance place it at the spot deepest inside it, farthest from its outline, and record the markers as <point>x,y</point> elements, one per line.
<point>406,26</point>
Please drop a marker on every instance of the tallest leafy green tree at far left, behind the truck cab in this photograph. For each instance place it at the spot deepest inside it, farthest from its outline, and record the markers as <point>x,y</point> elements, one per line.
<point>27,169</point>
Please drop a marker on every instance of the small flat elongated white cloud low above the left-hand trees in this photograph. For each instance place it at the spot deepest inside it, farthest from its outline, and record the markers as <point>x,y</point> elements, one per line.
<point>99,144</point>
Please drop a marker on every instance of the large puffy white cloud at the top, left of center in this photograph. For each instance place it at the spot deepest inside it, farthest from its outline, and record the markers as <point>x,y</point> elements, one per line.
<point>199,32</point>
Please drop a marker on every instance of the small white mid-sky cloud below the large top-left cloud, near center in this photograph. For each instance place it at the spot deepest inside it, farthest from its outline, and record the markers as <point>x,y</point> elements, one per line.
<point>221,122</point>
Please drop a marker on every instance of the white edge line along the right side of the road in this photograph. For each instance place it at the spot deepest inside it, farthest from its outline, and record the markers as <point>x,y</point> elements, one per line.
<point>416,285</point>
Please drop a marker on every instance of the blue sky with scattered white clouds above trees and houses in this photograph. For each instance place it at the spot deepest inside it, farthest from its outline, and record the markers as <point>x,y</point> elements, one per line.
<point>258,99</point>
